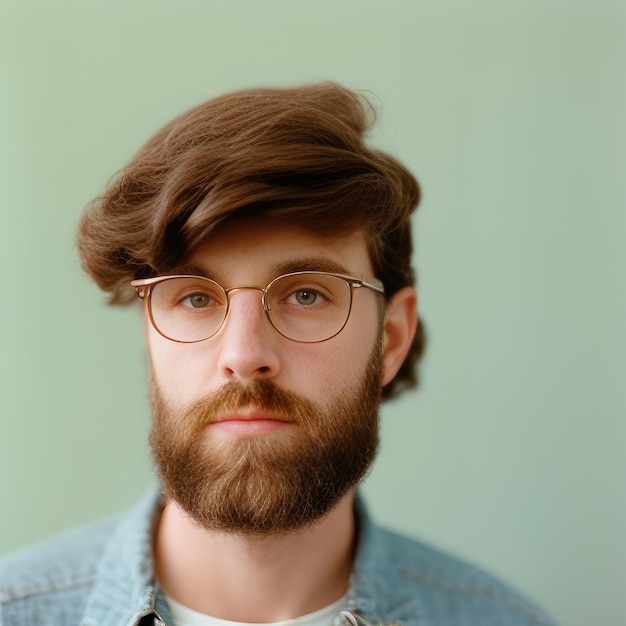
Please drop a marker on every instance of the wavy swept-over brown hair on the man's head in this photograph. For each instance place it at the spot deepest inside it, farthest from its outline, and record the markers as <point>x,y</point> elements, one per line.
<point>297,153</point>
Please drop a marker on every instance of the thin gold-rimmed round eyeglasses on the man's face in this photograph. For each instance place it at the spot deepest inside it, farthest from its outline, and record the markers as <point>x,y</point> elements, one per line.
<point>308,307</point>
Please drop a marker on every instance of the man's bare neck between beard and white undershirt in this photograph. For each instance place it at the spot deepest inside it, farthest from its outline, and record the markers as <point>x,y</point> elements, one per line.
<point>260,580</point>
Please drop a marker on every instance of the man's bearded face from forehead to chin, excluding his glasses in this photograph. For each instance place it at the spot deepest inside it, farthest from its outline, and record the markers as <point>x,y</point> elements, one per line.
<point>253,432</point>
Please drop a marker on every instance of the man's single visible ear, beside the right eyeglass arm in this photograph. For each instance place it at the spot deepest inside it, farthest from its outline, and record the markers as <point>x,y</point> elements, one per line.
<point>398,331</point>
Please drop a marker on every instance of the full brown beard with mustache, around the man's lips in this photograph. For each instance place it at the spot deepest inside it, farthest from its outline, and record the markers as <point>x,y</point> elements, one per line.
<point>266,485</point>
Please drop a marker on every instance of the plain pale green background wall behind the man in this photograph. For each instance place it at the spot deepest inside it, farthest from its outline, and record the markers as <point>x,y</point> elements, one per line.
<point>512,116</point>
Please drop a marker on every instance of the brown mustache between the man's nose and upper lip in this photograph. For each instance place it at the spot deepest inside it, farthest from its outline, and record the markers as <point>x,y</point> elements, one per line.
<point>260,394</point>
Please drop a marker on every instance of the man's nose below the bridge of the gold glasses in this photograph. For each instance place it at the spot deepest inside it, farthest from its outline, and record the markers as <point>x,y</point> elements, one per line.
<point>247,342</point>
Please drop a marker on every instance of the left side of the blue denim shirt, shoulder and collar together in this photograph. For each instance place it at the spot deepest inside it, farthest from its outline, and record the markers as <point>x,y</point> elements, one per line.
<point>98,574</point>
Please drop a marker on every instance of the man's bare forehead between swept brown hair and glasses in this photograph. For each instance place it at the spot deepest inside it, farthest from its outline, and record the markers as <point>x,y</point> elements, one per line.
<point>266,247</point>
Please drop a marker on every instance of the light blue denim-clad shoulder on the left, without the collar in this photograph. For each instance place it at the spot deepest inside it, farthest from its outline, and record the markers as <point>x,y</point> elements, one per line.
<point>55,573</point>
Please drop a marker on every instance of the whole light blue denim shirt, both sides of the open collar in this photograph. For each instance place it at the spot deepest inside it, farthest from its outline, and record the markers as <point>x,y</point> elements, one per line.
<point>104,576</point>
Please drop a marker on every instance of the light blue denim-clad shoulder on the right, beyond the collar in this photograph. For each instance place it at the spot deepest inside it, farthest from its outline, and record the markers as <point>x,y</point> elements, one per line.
<point>417,583</point>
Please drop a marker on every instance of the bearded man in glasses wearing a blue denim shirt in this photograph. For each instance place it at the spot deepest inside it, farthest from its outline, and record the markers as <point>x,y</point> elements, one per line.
<point>271,248</point>
